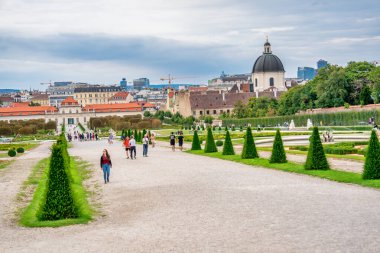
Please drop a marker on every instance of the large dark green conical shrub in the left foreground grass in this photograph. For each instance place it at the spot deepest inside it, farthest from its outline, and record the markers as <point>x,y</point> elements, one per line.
<point>59,203</point>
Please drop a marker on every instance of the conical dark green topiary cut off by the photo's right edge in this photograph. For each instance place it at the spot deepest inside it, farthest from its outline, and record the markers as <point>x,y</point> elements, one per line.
<point>372,160</point>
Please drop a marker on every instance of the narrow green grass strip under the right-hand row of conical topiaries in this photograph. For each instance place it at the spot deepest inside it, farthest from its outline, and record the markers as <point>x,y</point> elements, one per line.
<point>334,175</point>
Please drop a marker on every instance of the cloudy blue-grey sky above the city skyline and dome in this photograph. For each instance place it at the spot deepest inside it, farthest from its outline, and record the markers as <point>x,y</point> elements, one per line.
<point>102,41</point>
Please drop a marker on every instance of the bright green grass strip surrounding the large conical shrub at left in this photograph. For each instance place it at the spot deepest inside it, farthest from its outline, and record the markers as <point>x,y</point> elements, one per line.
<point>39,175</point>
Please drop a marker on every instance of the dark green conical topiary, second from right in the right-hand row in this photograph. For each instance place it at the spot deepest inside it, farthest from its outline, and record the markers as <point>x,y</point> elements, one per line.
<point>316,158</point>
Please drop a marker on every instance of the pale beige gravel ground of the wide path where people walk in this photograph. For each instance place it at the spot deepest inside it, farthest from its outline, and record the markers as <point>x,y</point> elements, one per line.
<point>177,202</point>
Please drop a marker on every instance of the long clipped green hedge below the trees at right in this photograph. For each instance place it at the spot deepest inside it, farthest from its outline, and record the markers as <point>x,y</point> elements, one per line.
<point>327,119</point>
